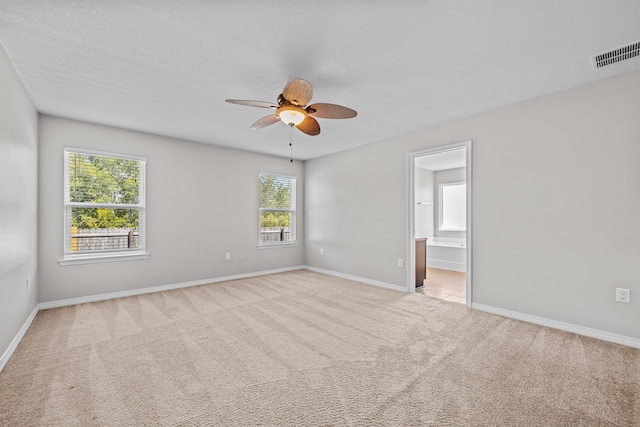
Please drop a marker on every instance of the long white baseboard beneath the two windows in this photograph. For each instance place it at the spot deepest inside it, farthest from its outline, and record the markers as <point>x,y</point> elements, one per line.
<point>142,291</point>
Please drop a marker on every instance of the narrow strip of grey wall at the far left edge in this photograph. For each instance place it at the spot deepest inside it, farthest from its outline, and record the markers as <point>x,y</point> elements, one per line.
<point>18,198</point>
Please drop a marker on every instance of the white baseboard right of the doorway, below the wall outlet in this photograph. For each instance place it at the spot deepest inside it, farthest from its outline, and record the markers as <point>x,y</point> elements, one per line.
<point>563,326</point>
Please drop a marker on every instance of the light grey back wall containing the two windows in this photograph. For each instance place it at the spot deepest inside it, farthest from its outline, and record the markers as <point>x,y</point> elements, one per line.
<point>202,201</point>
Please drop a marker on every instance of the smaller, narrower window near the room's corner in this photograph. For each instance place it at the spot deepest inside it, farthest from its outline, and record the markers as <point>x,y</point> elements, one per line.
<point>277,210</point>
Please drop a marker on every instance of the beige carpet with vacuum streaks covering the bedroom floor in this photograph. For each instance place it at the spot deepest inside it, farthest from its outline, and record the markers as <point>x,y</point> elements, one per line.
<point>305,349</point>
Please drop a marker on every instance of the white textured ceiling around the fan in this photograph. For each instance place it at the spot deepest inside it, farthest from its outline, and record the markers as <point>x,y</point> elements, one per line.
<point>167,66</point>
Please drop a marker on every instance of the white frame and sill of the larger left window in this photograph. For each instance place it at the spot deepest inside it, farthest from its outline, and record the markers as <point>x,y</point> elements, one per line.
<point>69,257</point>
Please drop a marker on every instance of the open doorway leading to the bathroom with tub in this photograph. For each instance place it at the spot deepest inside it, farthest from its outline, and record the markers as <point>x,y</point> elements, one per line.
<point>439,215</point>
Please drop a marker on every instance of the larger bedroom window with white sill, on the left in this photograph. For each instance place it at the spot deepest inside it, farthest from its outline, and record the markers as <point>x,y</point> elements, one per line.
<point>104,206</point>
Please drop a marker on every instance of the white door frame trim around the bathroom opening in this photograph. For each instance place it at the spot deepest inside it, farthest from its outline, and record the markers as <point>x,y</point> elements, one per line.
<point>411,204</point>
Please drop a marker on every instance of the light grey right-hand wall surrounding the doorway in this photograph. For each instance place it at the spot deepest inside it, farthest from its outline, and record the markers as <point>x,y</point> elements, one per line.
<point>556,197</point>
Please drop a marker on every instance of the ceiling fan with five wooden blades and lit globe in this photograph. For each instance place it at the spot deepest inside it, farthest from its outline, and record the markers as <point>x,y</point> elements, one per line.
<point>292,110</point>
